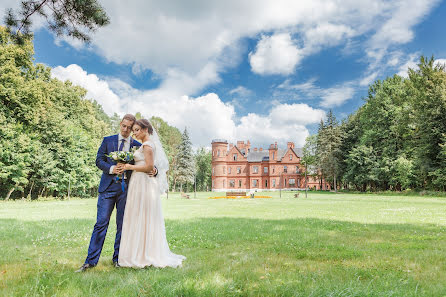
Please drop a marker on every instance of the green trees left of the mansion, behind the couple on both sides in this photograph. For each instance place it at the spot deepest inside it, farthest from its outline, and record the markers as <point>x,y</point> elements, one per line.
<point>50,133</point>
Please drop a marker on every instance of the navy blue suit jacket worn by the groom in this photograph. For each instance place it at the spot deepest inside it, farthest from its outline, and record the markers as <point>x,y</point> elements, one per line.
<point>109,144</point>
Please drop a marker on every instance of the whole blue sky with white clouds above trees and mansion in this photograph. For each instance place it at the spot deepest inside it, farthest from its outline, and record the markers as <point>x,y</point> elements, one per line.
<point>260,70</point>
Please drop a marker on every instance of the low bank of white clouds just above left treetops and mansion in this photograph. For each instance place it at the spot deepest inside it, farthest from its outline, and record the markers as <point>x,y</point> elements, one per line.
<point>206,117</point>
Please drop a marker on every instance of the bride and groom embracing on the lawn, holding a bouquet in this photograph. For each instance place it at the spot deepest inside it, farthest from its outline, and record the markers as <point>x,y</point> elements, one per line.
<point>141,234</point>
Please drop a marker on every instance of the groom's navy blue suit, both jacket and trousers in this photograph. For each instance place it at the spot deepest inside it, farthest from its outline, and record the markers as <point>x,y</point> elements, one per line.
<point>110,194</point>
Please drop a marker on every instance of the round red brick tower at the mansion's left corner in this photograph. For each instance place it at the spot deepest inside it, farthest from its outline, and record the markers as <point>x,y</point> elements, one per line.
<point>219,172</point>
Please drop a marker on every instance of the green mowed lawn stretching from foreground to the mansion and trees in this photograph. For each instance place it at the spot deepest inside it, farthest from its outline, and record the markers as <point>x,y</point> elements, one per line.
<point>325,245</point>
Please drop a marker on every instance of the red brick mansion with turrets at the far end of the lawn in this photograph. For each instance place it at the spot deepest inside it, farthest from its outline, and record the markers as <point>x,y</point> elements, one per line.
<point>240,168</point>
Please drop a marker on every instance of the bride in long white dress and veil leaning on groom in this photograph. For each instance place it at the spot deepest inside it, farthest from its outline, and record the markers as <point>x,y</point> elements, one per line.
<point>143,239</point>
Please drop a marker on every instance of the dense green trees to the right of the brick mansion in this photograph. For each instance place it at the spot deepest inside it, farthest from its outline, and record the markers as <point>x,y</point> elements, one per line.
<point>395,141</point>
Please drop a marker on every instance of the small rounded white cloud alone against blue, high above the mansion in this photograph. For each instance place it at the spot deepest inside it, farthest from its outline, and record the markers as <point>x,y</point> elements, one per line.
<point>275,54</point>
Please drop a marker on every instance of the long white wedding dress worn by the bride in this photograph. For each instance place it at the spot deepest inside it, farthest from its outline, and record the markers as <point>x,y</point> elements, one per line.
<point>143,239</point>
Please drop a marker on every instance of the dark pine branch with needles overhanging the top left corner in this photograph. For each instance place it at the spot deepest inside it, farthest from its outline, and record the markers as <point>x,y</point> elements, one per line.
<point>74,18</point>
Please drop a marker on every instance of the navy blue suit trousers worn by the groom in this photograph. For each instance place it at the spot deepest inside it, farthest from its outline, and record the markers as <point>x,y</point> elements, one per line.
<point>113,196</point>
